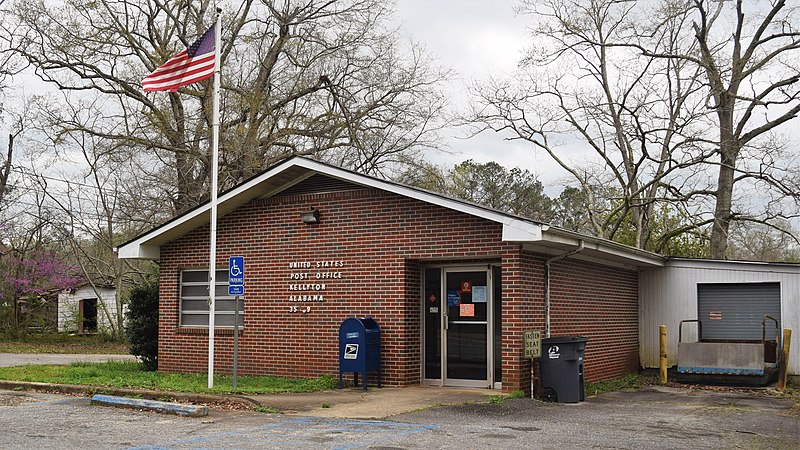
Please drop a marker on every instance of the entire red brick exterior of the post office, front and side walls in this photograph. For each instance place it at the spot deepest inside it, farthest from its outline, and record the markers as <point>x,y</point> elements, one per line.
<point>384,240</point>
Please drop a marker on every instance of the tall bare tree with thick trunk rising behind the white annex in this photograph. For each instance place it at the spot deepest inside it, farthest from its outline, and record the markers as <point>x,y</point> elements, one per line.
<point>749,61</point>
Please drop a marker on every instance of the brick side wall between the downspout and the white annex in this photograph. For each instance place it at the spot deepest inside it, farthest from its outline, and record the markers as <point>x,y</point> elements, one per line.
<point>601,303</point>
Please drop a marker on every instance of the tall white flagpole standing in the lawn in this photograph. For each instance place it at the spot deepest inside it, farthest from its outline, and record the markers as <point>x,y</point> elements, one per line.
<point>212,264</point>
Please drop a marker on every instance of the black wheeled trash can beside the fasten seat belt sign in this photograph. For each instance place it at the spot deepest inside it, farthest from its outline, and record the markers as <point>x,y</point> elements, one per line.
<point>561,365</point>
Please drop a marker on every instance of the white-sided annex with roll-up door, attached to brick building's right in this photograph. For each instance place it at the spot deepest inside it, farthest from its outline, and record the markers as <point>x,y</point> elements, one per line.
<point>730,298</point>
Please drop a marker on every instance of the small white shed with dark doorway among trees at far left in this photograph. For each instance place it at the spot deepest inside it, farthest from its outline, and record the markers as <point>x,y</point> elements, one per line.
<point>87,309</point>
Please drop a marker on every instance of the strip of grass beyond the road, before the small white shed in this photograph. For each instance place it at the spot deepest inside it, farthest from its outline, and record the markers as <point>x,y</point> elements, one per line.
<point>61,343</point>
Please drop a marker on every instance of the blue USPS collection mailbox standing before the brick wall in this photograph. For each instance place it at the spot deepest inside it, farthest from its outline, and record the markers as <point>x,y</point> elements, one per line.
<point>359,348</point>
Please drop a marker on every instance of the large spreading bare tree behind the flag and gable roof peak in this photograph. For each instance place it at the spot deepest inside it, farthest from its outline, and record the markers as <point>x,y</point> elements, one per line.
<point>326,79</point>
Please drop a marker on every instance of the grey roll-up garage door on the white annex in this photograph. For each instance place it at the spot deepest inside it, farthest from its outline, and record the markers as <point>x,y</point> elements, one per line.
<point>733,311</point>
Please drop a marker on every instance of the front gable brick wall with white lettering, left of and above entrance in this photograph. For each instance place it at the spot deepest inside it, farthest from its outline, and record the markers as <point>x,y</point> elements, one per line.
<point>382,239</point>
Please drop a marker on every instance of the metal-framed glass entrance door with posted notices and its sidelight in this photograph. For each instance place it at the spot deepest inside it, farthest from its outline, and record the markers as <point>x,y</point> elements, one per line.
<point>457,332</point>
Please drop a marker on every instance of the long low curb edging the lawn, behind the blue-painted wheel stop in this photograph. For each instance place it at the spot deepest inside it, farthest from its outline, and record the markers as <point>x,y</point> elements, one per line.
<point>87,390</point>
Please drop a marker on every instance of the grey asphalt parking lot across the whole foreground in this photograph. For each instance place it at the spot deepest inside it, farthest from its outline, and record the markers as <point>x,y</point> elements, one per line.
<point>652,417</point>
